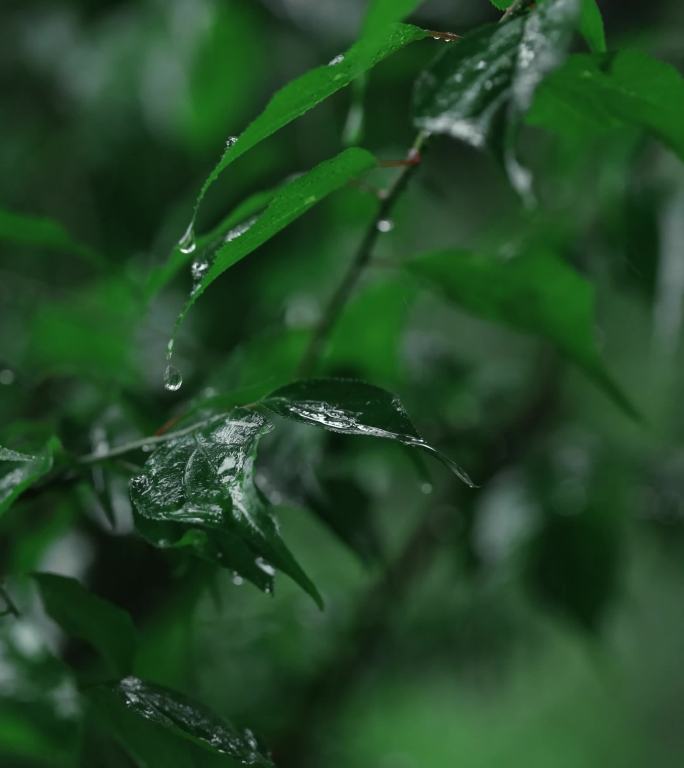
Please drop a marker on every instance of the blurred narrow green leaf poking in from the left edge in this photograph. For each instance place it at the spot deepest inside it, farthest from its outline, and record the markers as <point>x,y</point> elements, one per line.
<point>39,232</point>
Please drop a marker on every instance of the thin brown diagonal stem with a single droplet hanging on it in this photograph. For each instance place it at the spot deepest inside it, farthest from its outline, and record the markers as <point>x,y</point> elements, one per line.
<point>356,268</point>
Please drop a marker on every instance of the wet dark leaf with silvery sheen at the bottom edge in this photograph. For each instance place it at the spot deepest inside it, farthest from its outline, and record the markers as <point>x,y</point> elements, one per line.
<point>179,716</point>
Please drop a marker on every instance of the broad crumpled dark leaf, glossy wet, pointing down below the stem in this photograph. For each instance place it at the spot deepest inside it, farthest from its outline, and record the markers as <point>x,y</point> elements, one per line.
<point>201,485</point>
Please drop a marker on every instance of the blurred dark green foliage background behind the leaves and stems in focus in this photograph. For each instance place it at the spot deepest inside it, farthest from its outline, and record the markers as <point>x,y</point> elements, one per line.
<point>542,624</point>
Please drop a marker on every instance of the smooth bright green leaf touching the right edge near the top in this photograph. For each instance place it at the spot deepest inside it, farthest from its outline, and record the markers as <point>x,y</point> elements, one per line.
<point>596,94</point>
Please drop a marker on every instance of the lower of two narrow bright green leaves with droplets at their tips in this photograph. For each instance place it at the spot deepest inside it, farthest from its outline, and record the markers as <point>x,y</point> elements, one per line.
<point>291,202</point>
